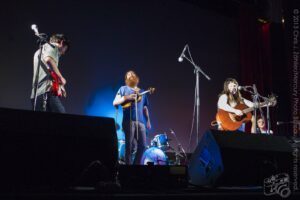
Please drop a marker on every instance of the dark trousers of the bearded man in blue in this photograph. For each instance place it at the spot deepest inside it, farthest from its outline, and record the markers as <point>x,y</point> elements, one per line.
<point>131,139</point>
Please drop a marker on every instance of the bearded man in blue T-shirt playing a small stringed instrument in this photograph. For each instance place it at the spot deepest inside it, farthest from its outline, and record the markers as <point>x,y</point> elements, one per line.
<point>135,117</point>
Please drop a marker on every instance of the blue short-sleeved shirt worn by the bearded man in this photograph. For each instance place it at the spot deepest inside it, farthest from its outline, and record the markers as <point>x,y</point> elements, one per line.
<point>129,113</point>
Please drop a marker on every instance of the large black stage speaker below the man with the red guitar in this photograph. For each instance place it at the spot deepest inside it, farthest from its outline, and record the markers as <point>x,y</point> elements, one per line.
<point>40,150</point>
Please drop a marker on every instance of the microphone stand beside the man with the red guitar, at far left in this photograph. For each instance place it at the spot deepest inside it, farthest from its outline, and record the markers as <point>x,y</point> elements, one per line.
<point>42,39</point>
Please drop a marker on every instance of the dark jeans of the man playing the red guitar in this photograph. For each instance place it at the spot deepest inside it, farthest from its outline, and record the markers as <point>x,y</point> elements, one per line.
<point>49,103</point>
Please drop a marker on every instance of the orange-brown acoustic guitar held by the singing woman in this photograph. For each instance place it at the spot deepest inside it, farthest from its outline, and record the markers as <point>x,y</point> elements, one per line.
<point>231,122</point>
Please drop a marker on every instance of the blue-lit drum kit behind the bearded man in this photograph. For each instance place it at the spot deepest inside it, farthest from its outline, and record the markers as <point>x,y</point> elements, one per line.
<point>156,153</point>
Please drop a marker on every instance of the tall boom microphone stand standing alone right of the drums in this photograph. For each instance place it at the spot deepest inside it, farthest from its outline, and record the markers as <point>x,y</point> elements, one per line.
<point>197,70</point>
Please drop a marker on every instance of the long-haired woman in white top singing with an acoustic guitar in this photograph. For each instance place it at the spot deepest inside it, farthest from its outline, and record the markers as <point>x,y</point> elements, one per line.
<point>229,101</point>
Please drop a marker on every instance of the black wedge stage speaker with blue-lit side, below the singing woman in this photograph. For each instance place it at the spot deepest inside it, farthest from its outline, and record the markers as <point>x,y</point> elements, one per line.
<point>225,158</point>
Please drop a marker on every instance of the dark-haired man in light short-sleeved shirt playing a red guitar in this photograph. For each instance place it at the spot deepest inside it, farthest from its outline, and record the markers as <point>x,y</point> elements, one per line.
<point>50,80</point>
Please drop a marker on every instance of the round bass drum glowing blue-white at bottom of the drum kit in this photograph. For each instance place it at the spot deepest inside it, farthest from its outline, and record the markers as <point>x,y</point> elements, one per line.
<point>154,156</point>
